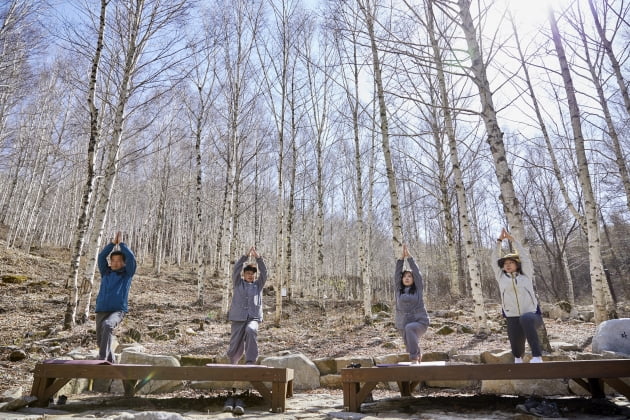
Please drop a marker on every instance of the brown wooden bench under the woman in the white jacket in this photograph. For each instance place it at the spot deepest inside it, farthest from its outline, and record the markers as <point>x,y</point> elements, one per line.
<point>358,383</point>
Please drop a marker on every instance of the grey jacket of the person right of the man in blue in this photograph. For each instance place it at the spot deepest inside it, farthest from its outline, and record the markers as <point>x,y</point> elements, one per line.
<point>247,297</point>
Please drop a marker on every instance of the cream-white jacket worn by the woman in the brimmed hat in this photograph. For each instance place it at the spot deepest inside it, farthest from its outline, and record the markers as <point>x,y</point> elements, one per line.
<point>517,290</point>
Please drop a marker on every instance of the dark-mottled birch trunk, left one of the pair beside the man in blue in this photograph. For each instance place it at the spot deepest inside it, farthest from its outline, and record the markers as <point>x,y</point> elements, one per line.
<point>86,202</point>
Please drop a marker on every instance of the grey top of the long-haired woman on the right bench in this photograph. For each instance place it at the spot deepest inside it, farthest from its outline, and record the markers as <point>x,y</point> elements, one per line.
<point>409,306</point>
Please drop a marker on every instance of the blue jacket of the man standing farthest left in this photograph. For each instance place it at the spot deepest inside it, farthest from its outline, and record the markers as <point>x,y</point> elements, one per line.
<point>115,285</point>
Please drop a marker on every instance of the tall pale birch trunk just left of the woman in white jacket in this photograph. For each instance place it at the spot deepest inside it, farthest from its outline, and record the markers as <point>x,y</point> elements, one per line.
<point>460,189</point>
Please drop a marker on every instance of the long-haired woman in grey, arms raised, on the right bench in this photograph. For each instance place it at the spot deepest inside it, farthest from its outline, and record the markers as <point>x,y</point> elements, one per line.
<point>412,319</point>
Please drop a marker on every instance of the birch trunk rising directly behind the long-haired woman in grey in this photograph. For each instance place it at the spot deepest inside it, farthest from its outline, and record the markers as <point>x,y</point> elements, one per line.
<point>397,235</point>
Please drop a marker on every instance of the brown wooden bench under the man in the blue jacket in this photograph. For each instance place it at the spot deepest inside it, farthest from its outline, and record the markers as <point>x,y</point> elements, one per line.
<point>49,377</point>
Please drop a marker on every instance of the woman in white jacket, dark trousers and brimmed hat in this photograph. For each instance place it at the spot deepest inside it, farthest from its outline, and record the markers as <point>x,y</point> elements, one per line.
<point>518,299</point>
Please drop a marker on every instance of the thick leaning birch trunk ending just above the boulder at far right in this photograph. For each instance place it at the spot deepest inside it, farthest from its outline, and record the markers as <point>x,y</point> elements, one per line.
<point>590,205</point>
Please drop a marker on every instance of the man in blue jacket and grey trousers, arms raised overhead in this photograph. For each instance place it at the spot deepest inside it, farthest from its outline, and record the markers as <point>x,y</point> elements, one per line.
<point>111,302</point>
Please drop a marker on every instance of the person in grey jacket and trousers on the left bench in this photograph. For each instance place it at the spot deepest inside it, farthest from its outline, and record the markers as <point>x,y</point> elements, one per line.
<point>246,311</point>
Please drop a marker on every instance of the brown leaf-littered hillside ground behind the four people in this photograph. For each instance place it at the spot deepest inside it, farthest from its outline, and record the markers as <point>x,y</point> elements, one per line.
<point>162,309</point>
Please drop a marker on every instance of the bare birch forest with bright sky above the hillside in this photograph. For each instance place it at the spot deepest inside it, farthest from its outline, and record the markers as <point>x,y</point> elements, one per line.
<point>326,133</point>
